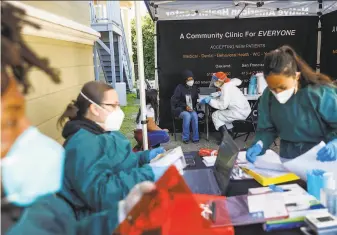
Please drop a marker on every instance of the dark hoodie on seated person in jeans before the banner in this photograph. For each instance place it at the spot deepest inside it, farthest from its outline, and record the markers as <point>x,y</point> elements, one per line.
<point>178,100</point>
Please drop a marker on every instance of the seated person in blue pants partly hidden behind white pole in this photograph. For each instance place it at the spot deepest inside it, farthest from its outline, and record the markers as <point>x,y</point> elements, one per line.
<point>156,135</point>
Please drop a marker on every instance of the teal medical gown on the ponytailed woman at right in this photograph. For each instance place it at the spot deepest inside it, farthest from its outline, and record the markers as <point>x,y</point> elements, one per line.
<point>306,119</point>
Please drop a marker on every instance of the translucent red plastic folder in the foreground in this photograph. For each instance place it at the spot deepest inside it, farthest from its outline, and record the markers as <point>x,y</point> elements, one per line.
<point>171,210</point>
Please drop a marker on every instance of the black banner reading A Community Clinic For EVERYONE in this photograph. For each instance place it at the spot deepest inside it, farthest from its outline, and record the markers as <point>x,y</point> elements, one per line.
<point>234,46</point>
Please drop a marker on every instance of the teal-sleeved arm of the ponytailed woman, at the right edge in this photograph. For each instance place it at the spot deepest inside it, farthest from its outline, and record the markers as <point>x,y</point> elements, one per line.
<point>325,100</point>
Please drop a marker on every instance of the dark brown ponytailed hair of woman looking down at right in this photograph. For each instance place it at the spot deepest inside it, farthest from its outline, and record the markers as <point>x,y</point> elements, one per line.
<point>285,61</point>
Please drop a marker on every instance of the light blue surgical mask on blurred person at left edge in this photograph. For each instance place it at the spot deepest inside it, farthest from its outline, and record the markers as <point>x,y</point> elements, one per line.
<point>33,167</point>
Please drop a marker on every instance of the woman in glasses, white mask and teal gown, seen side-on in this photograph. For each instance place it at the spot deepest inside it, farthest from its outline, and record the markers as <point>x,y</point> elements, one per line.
<point>100,166</point>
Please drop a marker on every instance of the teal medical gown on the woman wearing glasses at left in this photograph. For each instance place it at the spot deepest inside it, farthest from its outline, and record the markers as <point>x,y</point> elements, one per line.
<point>100,170</point>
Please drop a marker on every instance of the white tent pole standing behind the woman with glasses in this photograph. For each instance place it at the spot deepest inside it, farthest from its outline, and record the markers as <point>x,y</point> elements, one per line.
<point>140,59</point>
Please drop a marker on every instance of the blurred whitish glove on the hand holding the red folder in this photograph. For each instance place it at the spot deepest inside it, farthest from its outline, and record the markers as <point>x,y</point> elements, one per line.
<point>134,196</point>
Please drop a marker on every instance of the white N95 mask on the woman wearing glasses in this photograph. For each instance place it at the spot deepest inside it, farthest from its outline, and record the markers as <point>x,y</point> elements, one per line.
<point>113,121</point>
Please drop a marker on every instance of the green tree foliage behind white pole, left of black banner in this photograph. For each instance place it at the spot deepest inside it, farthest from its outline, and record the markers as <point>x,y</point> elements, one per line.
<point>148,46</point>
